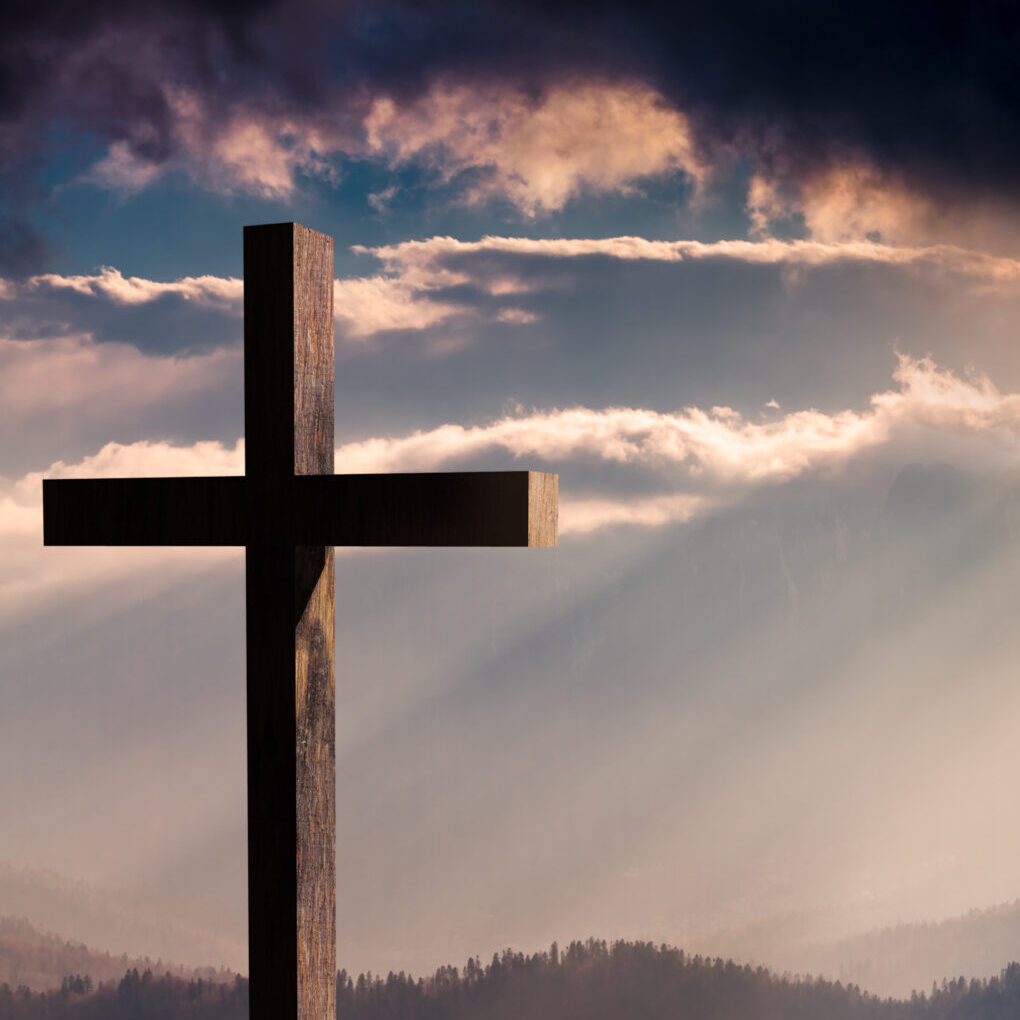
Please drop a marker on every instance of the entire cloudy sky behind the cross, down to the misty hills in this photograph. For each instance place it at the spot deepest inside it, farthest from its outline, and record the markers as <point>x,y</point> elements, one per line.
<point>746,276</point>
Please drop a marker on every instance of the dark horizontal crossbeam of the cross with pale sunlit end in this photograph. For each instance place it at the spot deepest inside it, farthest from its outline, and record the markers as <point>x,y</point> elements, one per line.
<point>465,508</point>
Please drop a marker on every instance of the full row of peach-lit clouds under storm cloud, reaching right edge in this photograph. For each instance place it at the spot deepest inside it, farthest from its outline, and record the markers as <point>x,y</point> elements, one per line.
<point>537,152</point>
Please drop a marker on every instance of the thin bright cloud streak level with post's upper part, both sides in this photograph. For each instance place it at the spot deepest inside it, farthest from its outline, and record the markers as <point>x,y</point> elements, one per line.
<point>412,292</point>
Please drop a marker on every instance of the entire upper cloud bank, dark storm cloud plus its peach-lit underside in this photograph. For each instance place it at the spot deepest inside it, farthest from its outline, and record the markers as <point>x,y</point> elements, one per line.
<point>523,100</point>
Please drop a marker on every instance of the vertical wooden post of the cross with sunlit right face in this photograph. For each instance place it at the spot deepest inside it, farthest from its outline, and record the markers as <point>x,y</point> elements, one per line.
<point>289,431</point>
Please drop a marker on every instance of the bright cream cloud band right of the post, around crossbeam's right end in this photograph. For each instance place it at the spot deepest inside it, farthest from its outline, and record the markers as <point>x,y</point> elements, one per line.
<point>711,457</point>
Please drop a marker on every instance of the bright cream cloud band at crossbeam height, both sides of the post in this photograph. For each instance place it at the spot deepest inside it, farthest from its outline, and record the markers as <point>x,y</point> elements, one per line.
<point>677,467</point>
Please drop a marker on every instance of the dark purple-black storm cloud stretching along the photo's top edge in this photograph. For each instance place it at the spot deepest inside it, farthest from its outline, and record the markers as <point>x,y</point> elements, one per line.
<point>926,92</point>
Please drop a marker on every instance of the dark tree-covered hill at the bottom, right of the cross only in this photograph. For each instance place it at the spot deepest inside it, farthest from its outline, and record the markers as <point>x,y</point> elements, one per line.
<point>642,982</point>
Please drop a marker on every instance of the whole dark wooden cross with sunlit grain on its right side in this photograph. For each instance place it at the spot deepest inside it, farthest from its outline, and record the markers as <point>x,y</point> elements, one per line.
<point>289,511</point>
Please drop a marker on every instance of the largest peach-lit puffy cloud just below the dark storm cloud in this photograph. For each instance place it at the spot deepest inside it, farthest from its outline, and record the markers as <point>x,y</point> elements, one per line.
<point>538,152</point>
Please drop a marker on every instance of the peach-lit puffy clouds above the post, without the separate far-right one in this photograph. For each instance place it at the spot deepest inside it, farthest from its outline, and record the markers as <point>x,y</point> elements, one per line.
<point>538,154</point>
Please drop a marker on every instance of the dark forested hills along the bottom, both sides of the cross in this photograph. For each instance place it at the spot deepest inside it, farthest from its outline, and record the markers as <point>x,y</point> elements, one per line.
<point>588,982</point>
